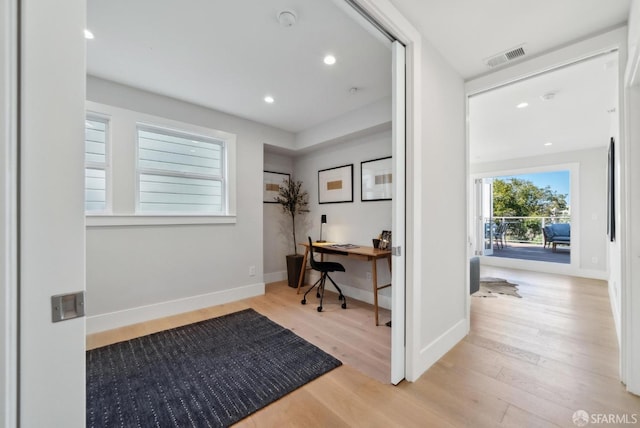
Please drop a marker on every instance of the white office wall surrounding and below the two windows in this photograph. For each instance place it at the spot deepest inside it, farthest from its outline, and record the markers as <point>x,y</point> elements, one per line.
<point>136,273</point>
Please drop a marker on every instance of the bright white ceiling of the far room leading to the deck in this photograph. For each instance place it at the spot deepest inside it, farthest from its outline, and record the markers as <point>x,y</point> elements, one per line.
<point>572,108</point>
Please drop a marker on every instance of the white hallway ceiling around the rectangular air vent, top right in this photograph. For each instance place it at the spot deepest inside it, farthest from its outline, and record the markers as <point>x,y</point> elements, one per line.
<point>466,32</point>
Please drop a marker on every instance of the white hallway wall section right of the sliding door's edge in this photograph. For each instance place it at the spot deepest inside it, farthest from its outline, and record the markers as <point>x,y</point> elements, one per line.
<point>439,300</point>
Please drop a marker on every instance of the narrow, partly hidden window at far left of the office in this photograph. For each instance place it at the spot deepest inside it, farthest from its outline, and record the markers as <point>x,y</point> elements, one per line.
<point>96,164</point>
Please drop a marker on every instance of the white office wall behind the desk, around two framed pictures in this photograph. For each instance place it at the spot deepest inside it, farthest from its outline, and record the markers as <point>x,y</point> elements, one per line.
<point>357,222</point>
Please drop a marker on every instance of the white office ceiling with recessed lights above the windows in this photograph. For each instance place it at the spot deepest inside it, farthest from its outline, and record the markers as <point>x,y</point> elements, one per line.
<point>229,55</point>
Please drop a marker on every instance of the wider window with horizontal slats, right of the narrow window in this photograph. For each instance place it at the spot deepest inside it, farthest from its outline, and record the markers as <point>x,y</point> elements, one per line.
<point>180,173</point>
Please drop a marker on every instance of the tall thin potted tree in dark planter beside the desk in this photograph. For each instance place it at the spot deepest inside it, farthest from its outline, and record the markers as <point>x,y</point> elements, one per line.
<point>294,200</point>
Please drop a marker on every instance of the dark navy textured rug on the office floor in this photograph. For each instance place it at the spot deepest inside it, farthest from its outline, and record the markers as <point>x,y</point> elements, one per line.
<point>210,373</point>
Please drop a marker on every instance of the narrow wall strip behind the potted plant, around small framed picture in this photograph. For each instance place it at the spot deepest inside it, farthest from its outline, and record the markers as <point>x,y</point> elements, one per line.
<point>277,227</point>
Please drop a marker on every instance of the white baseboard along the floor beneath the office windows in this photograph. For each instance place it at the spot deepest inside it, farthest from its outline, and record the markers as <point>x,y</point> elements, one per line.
<point>102,322</point>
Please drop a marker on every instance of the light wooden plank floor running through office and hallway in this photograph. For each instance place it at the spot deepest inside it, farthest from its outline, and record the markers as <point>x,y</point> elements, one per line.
<point>526,362</point>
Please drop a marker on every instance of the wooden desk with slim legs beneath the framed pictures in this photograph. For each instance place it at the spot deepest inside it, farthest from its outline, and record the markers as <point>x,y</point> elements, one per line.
<point>359,253</point>
